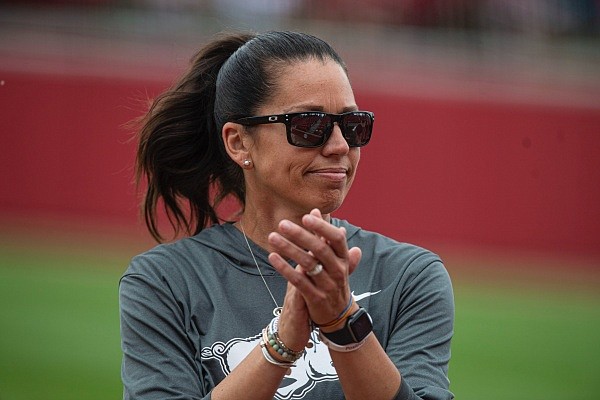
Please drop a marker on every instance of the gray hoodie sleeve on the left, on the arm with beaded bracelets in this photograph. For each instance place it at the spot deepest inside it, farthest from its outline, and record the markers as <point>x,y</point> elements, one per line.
<point>158,361</point>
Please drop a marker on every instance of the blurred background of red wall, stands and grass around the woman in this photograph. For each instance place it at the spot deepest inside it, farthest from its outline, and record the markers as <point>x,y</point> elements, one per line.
<point>486,150</point>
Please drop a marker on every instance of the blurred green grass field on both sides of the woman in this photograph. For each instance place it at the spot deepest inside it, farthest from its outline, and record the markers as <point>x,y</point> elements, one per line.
<point>59,332</point>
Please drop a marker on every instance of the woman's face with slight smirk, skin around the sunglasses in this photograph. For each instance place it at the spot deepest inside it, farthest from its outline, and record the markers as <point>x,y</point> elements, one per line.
<point>300,179</point>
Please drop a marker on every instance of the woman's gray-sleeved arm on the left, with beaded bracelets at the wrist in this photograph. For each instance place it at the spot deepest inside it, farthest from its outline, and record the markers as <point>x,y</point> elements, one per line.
<point>158,357</point>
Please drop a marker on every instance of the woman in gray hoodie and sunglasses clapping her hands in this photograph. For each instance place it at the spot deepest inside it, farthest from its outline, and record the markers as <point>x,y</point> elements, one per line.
<point>286,302</point>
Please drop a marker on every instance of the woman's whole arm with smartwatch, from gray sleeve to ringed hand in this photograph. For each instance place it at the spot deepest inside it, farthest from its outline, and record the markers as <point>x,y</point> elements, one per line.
<point>419,344</point>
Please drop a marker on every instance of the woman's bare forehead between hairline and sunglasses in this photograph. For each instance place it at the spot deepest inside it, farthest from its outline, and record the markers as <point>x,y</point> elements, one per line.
<point>312,83</point>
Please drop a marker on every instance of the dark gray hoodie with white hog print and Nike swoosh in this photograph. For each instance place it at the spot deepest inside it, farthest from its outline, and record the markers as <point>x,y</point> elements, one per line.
<point>192,310</point>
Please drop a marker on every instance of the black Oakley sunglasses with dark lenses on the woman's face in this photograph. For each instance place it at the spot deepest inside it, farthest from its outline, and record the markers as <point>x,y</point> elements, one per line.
<point>312,129</point>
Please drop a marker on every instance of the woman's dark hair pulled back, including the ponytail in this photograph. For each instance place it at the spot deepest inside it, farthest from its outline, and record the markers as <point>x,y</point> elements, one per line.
<point>180,152</point>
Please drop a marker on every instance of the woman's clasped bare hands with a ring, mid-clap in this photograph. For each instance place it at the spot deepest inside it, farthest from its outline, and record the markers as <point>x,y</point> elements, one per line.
<point>312,295</point>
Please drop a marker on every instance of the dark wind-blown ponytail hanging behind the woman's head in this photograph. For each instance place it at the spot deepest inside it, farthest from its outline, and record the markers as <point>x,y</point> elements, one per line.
<point>180,153</point>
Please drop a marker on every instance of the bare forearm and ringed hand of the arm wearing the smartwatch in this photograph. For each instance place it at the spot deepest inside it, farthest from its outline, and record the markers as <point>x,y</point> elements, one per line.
<point>366,372</point>
